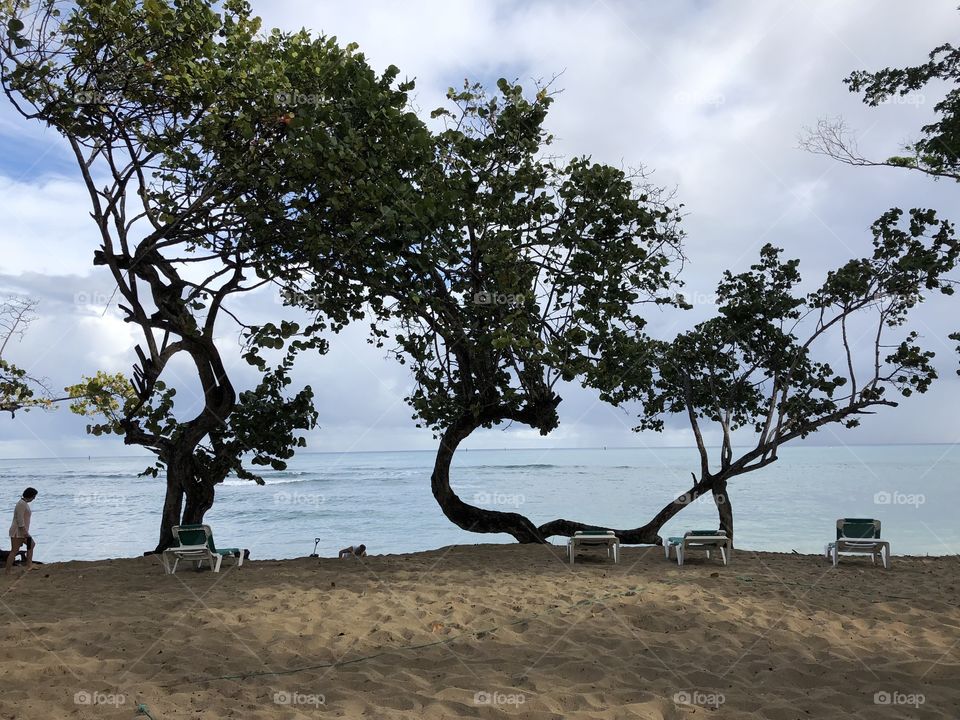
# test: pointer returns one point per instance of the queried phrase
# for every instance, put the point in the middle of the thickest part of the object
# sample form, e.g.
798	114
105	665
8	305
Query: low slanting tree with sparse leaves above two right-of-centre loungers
761	365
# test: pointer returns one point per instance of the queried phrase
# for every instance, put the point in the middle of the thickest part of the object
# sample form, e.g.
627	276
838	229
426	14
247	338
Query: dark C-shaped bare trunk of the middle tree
469	517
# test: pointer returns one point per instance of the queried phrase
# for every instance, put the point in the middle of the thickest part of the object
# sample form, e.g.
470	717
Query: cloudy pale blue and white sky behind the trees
710	97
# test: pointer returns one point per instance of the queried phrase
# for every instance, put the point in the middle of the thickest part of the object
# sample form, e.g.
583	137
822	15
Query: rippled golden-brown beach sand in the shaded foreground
485	631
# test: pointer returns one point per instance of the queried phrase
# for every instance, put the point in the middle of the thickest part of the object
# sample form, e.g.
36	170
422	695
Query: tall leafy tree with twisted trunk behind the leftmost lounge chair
182	119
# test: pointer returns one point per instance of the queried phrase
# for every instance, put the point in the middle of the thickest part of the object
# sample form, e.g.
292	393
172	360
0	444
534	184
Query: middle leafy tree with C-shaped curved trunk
511	264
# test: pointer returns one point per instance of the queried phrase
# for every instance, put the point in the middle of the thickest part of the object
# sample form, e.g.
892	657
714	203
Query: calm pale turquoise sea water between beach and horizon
97	508
